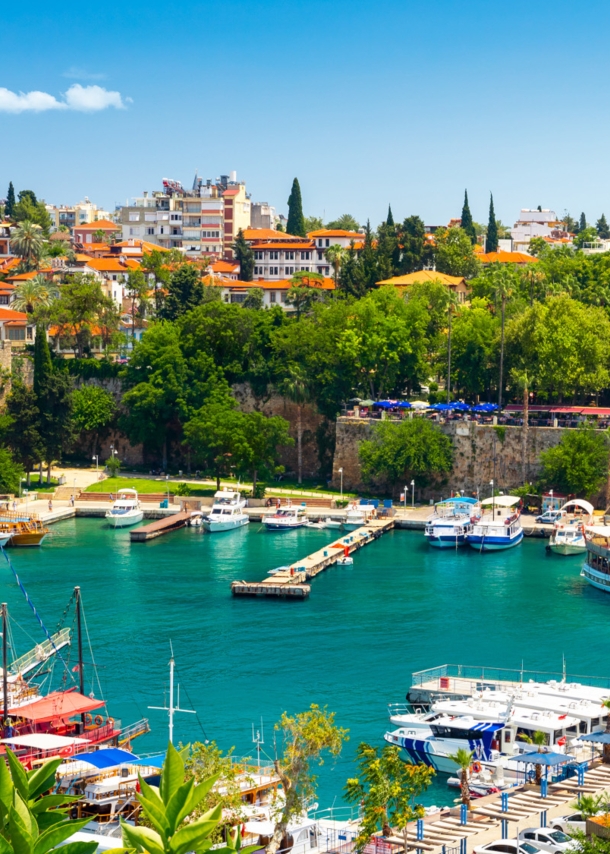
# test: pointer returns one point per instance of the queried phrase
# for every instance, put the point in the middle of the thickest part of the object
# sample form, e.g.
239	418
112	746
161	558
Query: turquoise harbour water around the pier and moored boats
352	645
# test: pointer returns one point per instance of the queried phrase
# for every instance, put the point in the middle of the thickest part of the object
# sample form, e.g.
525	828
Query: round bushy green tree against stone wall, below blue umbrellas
411	449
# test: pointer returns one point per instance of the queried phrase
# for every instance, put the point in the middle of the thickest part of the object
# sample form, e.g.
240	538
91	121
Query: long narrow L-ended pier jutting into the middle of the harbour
291	583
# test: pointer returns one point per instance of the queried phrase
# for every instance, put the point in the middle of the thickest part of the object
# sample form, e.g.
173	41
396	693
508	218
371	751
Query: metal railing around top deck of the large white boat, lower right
490	677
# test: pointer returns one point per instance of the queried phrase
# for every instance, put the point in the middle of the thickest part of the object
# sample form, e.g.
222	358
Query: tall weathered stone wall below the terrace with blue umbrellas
481	453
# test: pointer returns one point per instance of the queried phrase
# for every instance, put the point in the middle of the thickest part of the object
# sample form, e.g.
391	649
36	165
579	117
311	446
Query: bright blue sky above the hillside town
367	103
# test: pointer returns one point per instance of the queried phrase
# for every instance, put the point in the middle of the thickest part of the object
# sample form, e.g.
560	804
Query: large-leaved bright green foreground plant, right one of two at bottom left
170	811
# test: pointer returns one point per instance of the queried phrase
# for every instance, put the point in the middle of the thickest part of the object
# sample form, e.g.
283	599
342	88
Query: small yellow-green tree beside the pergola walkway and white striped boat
385	789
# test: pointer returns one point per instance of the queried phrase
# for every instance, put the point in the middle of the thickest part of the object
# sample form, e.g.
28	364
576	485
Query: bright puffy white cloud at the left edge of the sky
84	99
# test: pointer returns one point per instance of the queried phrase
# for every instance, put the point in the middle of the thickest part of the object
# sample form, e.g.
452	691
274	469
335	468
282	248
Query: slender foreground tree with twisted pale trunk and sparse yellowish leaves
306	737
